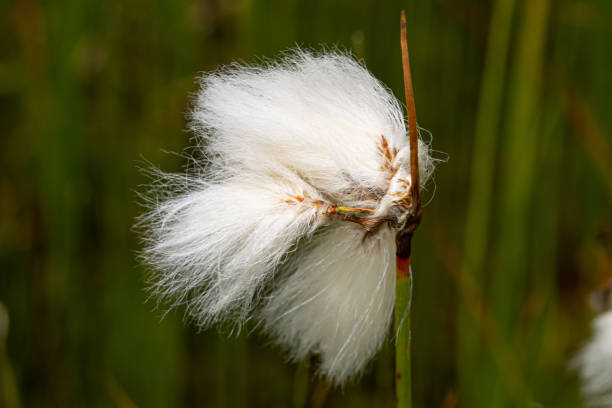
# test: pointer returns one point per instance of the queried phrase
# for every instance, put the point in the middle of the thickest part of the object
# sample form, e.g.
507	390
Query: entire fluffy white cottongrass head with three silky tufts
261	229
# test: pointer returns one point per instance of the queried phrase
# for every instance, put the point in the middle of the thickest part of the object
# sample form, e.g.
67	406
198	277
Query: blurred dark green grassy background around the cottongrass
516	235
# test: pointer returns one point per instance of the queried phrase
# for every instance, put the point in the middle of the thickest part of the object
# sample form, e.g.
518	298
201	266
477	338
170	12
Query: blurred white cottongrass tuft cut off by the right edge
594	363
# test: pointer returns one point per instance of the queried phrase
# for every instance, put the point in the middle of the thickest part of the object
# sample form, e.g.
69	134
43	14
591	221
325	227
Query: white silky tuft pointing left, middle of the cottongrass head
214	247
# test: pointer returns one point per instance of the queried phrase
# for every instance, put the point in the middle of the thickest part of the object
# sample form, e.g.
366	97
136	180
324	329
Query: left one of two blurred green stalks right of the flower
474	368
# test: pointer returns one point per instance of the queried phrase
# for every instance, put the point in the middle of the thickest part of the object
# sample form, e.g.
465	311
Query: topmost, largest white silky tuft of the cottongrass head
321	115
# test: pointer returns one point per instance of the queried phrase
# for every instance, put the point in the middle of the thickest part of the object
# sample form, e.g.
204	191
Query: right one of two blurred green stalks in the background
518	182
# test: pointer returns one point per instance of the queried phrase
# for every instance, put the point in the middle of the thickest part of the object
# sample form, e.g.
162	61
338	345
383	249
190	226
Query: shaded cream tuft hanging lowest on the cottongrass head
338	300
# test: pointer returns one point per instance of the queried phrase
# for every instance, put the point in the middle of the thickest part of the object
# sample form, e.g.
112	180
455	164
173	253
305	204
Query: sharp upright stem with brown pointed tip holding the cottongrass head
403	291
